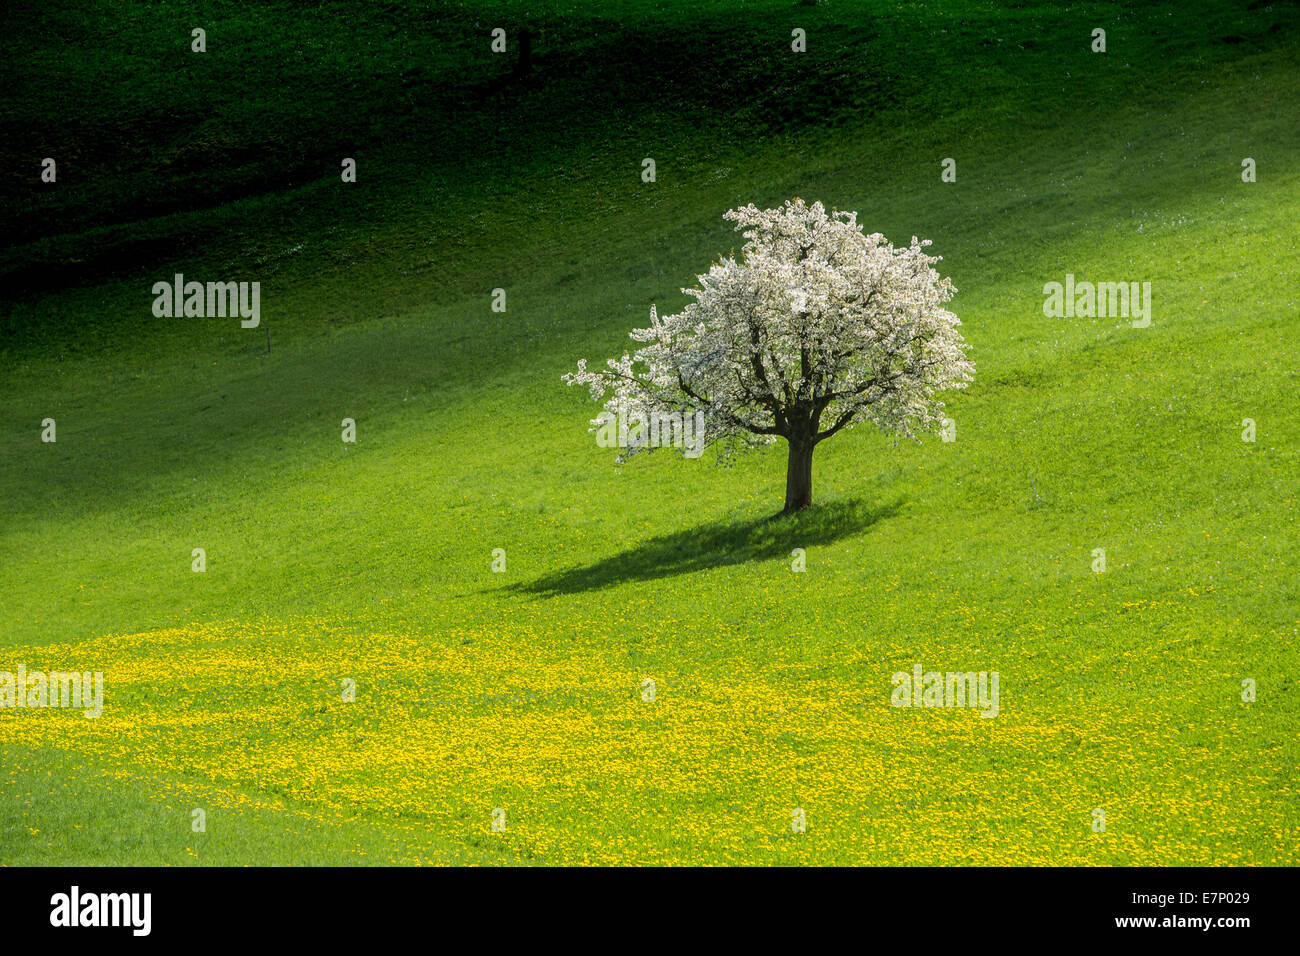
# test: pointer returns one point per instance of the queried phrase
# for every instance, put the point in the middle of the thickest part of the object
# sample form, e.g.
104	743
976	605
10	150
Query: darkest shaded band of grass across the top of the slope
150	168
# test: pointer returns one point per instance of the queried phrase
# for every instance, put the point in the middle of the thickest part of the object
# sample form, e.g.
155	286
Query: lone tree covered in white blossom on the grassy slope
816	328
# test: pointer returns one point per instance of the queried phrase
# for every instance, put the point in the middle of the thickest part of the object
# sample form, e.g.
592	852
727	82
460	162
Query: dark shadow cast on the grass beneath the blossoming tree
717	546
